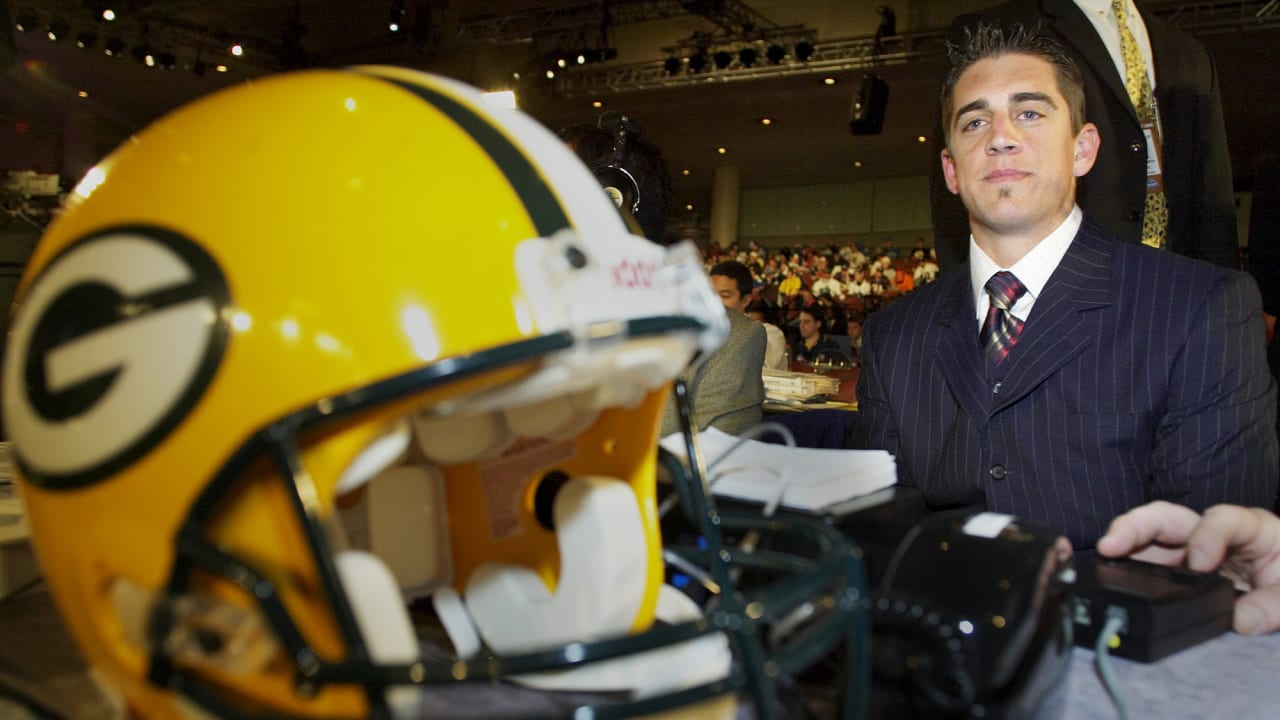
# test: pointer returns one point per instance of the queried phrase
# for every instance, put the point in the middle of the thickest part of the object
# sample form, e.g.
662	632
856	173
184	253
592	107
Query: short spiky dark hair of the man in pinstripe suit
996	39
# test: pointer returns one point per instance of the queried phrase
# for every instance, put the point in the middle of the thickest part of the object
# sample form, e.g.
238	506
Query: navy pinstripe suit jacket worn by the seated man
1140	376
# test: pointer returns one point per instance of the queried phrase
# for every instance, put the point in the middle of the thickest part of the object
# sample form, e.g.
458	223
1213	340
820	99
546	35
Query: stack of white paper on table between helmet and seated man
803	479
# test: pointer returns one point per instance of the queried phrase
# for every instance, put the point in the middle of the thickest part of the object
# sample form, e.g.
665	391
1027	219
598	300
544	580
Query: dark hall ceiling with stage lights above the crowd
49	129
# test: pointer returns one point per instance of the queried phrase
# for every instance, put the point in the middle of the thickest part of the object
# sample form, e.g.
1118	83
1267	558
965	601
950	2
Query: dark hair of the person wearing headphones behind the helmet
642	160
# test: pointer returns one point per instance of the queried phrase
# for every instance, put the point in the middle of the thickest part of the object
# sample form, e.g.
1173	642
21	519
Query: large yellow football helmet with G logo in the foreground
323	344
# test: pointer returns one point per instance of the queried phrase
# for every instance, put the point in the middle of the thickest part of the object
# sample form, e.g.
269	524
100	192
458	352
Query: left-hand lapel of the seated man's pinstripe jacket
956	347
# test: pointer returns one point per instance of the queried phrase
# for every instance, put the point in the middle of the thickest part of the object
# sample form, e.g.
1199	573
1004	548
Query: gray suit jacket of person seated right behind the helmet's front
726	386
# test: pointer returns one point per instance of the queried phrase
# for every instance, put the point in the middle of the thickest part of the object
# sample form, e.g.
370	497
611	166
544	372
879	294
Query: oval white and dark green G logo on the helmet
113	345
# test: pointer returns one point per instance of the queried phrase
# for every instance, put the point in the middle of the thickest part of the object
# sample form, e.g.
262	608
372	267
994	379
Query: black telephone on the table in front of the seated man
973	619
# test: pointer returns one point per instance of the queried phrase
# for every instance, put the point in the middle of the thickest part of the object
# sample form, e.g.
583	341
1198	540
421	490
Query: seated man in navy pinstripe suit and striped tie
1136	376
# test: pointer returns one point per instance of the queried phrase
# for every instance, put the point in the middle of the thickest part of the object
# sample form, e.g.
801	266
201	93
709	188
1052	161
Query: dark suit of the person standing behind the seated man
1197	165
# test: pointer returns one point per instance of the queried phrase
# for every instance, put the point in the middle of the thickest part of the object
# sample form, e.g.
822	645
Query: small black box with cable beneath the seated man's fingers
1159	610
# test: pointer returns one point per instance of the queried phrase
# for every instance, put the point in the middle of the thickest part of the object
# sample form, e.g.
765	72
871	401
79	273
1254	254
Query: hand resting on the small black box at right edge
1241	543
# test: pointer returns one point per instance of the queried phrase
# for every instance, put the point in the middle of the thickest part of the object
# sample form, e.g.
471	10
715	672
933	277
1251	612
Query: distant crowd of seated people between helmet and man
838	286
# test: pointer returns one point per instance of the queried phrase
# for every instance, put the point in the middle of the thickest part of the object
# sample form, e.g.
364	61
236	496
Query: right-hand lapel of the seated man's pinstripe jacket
1055	331
